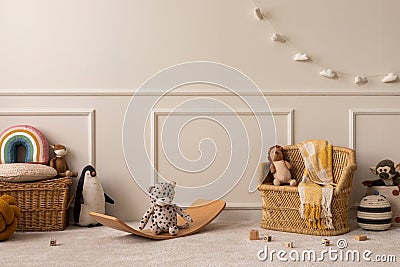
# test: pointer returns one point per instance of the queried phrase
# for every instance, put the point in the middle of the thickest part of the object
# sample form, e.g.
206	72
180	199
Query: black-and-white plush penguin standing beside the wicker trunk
89	197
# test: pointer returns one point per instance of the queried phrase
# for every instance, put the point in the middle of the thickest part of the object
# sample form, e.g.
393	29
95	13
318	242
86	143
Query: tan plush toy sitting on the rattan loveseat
280	168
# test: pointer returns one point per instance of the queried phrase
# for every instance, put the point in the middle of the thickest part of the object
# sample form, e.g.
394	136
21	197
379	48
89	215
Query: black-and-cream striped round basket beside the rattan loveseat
374	213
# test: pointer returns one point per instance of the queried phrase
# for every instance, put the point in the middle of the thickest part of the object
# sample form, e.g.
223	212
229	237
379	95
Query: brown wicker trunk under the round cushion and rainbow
44	204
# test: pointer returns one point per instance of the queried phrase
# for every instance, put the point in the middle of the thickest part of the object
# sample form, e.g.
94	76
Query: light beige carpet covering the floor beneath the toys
219	244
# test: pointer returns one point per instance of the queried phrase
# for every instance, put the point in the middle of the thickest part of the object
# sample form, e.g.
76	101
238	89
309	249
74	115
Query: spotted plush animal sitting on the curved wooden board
162	213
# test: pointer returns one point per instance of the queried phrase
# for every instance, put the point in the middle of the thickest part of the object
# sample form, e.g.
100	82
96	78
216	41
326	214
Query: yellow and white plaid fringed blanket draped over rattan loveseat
316	188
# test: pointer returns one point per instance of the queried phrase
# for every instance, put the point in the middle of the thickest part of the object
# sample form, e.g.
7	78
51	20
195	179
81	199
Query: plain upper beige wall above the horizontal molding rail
119	44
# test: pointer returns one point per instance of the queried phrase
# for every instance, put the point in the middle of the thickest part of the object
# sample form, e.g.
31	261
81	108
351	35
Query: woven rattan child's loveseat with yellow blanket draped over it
280	204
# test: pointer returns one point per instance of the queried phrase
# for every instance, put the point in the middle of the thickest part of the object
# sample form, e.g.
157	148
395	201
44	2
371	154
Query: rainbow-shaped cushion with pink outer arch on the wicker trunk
35	143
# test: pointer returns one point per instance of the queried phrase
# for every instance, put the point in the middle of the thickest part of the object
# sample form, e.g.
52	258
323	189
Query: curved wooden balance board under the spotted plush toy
202	212
